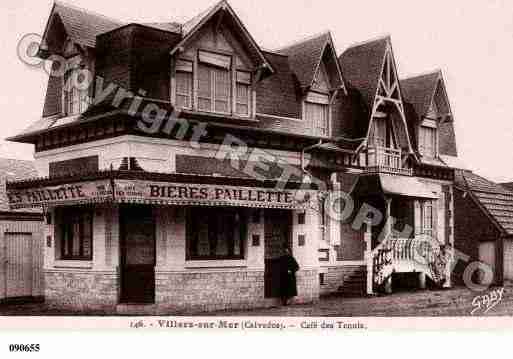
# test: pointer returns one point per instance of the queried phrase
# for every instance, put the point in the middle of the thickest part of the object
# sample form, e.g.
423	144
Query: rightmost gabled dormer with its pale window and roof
431	112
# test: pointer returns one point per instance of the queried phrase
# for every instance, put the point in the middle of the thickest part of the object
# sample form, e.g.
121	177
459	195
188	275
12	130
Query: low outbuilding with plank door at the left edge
21	240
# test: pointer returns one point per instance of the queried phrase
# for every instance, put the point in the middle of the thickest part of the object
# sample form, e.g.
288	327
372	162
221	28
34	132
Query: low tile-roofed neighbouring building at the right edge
483	226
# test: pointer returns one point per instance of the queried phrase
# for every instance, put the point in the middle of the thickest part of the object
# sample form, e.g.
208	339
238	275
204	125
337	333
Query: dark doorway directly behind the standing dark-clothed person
278	230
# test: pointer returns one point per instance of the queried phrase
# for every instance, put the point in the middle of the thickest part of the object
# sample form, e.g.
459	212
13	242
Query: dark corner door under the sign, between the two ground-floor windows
137	255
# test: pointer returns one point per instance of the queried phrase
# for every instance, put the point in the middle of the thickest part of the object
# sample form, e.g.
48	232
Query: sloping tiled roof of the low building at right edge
492	198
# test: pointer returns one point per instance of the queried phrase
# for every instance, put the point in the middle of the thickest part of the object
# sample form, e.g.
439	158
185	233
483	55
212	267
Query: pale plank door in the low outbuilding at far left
18	264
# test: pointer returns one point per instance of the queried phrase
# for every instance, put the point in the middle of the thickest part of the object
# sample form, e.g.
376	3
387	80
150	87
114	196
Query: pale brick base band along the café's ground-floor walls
175	292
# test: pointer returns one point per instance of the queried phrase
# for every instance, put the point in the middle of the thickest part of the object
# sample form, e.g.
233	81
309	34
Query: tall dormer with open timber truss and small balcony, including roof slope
370	69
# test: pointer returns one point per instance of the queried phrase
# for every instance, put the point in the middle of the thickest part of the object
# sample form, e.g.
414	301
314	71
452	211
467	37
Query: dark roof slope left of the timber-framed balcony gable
361	65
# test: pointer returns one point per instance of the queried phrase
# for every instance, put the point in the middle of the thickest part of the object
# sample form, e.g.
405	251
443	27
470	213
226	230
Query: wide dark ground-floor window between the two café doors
215	233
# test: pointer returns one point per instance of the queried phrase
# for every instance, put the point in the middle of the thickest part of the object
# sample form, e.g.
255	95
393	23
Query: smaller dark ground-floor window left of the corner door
76	234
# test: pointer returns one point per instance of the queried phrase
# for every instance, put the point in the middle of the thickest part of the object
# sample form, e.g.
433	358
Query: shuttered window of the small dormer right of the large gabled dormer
317	114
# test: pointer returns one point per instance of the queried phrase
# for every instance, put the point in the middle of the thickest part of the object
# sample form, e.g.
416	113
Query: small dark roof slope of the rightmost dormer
419	91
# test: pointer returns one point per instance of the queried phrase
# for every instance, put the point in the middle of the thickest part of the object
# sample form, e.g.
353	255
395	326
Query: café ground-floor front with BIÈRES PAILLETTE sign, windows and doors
176	242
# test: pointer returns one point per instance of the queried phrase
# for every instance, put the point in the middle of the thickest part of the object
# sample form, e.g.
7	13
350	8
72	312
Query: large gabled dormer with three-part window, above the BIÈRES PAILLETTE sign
216	65
